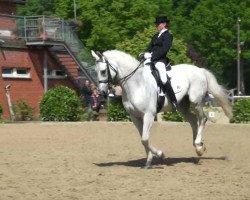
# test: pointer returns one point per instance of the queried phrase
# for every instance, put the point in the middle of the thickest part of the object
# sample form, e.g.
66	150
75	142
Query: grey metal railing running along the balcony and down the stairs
34	29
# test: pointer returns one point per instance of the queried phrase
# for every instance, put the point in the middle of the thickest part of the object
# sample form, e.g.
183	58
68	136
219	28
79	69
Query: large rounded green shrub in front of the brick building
60	104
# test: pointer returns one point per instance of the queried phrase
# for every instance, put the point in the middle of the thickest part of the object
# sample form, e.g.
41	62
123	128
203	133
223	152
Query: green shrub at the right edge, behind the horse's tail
241	111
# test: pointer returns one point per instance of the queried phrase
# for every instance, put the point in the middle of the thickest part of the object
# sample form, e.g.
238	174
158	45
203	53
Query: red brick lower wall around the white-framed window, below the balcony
31	90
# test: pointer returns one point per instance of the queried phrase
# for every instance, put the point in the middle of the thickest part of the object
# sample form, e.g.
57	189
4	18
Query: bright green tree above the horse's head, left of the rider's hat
106	22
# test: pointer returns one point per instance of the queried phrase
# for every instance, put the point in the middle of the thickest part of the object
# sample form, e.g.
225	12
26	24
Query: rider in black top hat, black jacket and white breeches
157	53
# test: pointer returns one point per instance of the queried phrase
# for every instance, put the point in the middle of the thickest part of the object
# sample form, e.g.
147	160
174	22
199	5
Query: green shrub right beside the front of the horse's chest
116	111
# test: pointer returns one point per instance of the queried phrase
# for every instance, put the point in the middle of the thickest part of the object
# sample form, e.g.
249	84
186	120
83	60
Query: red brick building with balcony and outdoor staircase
37	53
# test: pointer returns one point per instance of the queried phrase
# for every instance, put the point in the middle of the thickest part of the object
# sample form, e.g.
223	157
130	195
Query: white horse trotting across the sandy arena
140	94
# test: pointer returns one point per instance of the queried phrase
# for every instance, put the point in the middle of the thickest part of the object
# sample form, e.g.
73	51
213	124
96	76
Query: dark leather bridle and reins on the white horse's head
109	67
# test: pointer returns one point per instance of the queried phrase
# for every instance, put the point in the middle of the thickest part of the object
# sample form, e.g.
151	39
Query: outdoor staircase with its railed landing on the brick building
62	43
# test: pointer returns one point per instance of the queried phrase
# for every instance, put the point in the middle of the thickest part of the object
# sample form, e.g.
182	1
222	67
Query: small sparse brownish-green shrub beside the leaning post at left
23	112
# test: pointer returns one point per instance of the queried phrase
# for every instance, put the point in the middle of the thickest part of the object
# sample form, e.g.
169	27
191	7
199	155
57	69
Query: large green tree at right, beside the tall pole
211	29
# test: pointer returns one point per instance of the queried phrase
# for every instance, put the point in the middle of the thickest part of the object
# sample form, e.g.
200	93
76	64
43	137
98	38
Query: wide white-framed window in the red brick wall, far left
15	72
